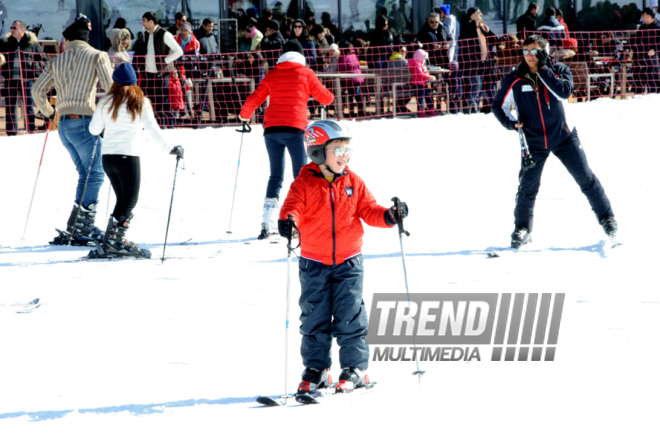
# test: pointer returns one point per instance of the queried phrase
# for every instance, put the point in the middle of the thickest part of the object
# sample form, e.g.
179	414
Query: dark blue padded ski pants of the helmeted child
331	306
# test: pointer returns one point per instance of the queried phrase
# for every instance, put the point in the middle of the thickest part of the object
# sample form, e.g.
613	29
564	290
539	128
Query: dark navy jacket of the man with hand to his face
538	100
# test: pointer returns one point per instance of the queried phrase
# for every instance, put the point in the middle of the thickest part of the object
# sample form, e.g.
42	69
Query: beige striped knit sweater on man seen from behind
74	74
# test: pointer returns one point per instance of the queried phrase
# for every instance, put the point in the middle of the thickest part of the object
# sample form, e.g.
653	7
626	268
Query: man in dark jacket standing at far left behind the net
25	61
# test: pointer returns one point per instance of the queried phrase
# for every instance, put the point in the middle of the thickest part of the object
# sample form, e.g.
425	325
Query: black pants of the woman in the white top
123	171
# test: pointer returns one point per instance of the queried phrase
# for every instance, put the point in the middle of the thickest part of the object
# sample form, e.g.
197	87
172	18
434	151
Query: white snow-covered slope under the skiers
182	349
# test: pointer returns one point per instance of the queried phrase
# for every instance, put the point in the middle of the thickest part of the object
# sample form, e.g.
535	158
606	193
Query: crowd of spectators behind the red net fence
461	55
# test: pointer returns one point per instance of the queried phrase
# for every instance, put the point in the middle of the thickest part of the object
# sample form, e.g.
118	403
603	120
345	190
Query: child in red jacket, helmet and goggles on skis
328	203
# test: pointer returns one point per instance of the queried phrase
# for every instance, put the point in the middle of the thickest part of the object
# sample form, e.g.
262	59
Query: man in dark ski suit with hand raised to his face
537	88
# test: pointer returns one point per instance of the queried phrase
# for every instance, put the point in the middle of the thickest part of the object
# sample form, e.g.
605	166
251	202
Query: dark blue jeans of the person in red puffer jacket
276	143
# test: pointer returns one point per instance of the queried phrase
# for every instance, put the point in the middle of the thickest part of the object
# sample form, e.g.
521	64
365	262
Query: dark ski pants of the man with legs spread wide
572	156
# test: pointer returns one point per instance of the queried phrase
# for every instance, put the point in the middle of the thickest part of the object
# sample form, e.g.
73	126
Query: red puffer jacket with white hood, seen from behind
289	85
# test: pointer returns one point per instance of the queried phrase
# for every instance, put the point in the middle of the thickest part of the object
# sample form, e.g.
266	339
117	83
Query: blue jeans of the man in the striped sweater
80	143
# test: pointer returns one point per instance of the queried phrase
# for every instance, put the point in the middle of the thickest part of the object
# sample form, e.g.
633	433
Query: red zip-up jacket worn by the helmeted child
328	214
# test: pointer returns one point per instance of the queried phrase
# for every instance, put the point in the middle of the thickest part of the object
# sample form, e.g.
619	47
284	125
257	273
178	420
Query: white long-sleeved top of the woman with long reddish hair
120	137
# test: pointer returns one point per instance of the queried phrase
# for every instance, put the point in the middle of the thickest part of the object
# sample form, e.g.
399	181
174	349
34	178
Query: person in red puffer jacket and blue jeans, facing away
289	86
